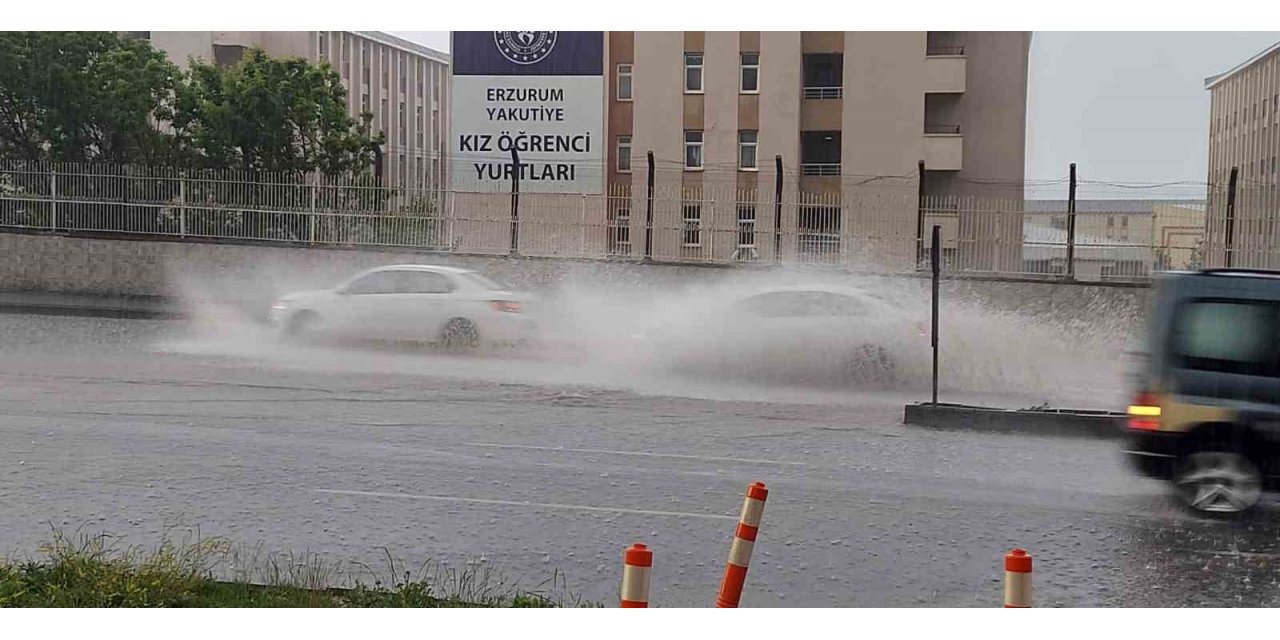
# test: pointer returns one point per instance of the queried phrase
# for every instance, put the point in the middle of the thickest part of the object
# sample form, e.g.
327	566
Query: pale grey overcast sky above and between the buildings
1124	107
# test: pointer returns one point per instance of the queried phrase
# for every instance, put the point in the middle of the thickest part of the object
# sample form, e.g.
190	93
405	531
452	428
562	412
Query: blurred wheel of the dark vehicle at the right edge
1218	482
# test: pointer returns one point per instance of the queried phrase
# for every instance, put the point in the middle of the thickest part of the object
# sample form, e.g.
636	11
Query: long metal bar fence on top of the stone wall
874	228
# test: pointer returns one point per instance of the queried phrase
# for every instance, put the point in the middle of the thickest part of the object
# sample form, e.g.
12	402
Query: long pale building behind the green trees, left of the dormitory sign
404	85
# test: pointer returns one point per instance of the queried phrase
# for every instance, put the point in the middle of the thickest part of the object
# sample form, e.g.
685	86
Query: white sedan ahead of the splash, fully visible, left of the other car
455	308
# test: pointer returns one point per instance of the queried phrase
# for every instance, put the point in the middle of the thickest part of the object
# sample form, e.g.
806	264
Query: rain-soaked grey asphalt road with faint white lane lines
124	427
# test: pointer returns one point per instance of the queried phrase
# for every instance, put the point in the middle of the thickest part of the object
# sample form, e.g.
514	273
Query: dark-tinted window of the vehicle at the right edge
1235	337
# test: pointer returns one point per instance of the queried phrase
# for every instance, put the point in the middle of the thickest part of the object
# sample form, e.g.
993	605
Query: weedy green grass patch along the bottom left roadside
102	572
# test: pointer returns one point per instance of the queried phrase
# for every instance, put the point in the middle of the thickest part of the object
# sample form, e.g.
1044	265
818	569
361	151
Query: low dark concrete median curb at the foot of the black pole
1055	423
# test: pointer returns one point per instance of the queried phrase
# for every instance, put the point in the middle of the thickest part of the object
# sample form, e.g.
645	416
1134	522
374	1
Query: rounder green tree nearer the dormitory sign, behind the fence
272	115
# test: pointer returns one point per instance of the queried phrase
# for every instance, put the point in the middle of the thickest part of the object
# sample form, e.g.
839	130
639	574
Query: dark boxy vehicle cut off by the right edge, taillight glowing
1208	412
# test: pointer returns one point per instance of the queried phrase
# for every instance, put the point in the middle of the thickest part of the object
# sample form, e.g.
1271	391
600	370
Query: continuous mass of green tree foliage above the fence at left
98	98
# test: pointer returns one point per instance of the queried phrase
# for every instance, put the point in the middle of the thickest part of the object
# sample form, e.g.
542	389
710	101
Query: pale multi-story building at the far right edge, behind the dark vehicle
1245	138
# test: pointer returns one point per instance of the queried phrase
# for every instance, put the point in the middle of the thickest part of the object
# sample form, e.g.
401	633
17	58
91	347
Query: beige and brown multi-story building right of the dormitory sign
852	116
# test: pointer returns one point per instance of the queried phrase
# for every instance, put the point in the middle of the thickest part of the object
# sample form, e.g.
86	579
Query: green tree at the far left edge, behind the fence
84	97
